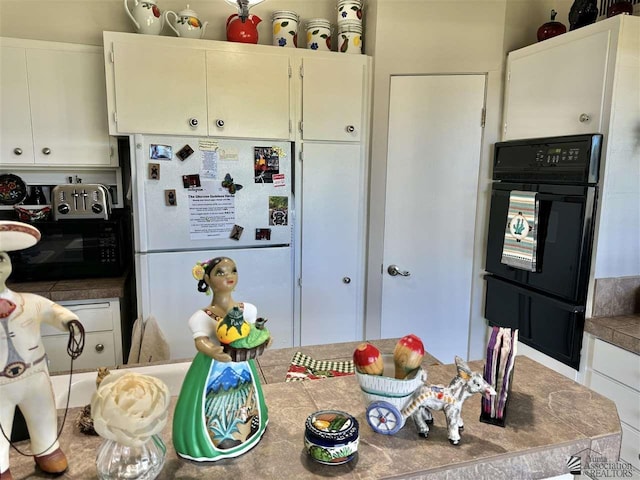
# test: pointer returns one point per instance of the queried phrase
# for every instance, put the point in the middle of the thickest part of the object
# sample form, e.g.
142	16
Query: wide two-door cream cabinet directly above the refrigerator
179	86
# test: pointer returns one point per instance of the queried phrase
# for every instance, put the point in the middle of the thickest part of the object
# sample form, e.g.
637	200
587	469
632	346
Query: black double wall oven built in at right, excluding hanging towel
546	305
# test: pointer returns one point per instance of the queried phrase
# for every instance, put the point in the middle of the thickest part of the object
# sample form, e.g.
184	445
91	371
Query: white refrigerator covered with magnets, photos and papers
199	198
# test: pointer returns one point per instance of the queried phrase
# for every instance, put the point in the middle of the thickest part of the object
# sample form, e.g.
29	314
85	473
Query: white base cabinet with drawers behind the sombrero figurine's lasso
103	340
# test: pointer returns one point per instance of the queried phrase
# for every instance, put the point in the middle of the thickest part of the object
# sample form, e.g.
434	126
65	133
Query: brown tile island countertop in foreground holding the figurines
549	418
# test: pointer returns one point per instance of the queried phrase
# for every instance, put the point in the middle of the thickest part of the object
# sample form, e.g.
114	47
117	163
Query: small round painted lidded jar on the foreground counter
331	437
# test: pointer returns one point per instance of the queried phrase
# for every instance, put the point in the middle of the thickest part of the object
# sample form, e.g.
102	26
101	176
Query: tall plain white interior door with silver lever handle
433	158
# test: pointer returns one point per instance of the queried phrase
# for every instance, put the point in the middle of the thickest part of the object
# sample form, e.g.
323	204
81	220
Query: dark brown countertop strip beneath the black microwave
70	290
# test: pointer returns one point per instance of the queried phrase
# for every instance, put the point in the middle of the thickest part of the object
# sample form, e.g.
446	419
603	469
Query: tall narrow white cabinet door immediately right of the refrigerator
332	246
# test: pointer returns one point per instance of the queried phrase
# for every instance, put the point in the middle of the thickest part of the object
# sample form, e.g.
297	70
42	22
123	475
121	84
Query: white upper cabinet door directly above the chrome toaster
68	107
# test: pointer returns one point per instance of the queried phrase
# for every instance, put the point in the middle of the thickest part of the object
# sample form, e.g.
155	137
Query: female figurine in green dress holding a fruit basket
221	411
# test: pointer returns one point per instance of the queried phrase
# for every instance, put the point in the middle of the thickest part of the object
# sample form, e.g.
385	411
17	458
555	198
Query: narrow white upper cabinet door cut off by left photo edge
15	129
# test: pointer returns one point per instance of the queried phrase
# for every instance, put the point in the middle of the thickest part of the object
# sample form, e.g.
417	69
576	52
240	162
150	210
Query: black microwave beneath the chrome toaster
75	249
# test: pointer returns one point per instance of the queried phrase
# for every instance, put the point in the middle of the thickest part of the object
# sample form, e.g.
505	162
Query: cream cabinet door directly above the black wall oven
557	91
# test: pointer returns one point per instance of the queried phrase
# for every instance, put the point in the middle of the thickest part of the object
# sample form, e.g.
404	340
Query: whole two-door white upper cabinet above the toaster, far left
53	105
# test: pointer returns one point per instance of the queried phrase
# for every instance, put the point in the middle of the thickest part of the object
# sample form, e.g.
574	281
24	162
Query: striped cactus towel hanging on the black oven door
520	236
